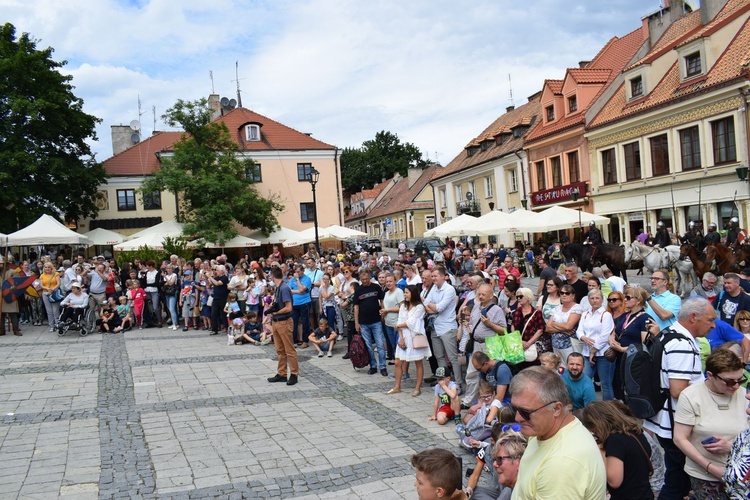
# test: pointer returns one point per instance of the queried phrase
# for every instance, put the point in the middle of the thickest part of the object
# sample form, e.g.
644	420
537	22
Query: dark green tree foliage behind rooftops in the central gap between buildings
377	159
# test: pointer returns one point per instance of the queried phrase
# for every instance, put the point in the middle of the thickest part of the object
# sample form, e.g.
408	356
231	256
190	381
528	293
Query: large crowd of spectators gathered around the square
536	427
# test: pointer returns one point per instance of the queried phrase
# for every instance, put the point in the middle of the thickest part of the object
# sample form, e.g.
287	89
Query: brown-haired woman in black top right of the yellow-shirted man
627	453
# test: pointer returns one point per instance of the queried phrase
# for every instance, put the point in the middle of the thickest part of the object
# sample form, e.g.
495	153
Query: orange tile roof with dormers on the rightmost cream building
731	66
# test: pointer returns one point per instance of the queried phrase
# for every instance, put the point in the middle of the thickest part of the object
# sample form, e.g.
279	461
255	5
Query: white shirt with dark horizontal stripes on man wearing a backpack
681	361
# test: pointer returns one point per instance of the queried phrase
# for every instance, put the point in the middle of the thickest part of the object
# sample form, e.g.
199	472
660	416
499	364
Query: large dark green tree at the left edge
46	166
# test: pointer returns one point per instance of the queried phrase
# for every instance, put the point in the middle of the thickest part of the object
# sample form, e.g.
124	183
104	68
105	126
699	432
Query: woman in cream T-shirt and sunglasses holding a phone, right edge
708	417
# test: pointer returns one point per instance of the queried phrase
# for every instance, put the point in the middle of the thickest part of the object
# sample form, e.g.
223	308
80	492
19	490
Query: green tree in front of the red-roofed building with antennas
210	178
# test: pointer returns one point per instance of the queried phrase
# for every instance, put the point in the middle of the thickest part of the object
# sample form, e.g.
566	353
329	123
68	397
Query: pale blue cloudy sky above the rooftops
434	72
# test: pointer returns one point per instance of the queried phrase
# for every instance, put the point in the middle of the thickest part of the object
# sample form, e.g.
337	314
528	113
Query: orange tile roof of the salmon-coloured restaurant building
611	59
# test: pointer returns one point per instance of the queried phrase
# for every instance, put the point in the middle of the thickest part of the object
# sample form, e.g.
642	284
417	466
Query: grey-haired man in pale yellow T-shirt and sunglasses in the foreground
562	460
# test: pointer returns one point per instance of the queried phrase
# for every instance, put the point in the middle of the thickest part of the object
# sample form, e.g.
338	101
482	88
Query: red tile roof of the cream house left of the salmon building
525	115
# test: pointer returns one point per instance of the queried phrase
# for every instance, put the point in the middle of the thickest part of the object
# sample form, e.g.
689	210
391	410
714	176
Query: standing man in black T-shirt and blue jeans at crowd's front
368	301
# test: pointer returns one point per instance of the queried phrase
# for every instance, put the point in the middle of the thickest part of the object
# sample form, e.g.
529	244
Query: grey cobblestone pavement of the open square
162	414
